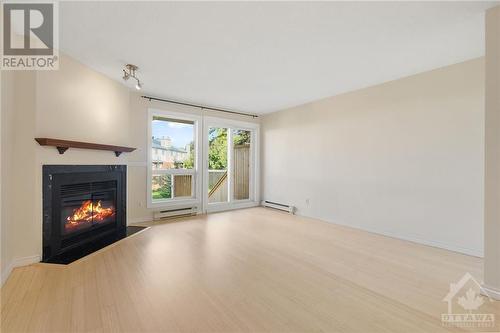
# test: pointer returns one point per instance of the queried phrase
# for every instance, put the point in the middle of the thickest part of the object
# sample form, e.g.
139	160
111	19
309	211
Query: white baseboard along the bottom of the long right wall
411	238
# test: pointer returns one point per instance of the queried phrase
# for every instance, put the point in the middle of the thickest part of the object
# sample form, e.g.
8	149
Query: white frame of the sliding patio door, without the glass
254	191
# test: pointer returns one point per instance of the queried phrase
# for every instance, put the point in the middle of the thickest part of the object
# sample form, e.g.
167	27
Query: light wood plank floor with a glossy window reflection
246	270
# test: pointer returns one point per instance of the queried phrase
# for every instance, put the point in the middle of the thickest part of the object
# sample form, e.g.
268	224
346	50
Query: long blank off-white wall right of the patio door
404	158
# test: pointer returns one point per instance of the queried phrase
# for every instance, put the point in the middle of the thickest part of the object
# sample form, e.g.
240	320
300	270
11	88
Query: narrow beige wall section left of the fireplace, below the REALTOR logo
18	156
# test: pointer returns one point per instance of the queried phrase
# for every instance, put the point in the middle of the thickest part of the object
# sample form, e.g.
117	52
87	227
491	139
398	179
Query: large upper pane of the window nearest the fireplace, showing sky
172	144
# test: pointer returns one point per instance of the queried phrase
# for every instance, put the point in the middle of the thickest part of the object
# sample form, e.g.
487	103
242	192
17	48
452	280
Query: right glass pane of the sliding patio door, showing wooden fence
241	164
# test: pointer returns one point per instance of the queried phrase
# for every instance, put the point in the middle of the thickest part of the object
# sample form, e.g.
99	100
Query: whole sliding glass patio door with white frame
230	164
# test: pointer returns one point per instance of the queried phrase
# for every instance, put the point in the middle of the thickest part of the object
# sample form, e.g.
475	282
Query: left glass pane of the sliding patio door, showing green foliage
217	165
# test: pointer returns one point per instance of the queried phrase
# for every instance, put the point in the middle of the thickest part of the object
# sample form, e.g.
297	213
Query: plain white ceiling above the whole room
265	56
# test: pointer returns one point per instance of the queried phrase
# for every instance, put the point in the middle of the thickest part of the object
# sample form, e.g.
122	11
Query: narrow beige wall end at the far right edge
492	153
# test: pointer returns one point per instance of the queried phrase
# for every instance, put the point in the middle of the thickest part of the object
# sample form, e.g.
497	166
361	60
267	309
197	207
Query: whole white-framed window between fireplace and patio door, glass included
173	159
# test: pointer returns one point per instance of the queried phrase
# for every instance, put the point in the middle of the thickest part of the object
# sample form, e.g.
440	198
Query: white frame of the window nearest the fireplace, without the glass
196	171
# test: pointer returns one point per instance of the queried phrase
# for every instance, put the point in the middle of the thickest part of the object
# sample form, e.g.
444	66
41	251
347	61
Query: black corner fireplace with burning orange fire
83	209
